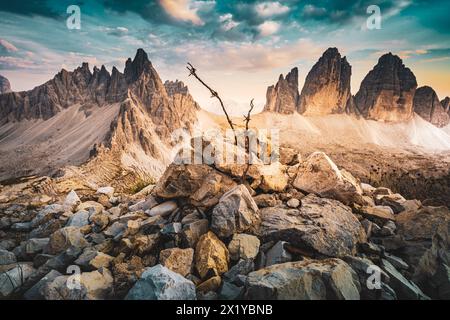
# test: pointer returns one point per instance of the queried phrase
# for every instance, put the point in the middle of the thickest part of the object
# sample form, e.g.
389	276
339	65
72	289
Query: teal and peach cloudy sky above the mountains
239	47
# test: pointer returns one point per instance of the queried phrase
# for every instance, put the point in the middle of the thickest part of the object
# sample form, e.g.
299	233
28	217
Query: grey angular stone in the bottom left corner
14	278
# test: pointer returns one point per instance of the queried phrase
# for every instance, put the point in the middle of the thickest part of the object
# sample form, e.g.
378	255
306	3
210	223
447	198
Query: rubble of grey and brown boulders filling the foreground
299	229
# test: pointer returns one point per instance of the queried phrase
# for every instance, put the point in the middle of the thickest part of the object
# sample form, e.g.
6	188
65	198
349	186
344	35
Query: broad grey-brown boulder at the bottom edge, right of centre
304	280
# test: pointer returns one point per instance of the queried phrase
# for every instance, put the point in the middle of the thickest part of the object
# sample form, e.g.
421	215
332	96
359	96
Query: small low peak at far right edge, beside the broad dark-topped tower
427	105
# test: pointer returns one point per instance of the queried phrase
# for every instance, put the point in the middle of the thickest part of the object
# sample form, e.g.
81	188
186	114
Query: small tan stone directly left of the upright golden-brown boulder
178	260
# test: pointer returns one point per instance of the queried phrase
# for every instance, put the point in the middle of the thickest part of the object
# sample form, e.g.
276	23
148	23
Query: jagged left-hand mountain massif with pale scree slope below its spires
134	113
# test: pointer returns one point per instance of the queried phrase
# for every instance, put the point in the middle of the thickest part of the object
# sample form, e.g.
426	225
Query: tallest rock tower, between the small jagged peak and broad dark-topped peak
327	86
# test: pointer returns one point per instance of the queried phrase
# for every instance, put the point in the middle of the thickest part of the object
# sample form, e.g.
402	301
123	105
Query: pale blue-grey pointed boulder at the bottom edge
160	283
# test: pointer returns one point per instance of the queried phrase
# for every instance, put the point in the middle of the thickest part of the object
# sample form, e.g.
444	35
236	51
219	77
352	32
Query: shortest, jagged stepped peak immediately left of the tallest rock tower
284	96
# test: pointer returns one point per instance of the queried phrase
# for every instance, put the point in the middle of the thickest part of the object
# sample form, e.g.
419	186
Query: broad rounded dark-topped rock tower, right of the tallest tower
387	92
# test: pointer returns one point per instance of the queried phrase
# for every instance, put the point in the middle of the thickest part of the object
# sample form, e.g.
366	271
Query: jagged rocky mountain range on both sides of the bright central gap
118	125
